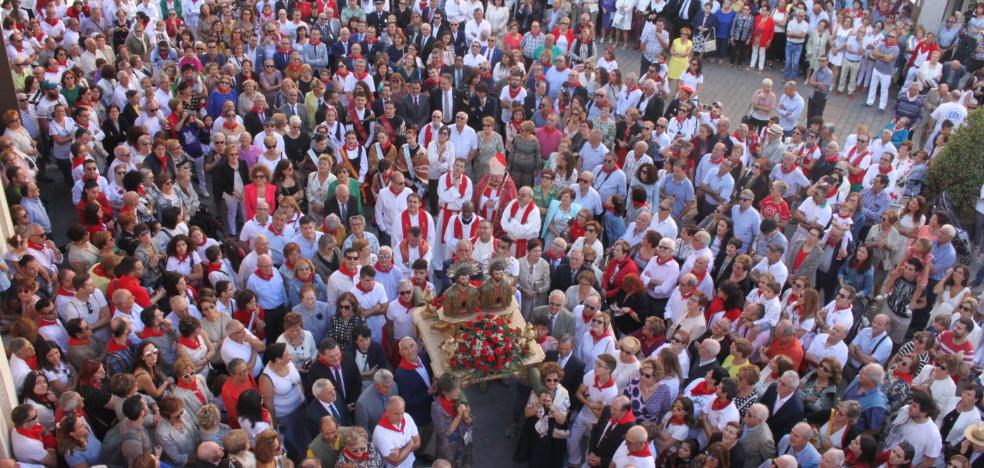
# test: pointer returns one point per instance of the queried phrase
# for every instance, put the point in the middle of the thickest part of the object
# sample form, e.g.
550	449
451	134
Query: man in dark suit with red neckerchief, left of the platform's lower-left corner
415	382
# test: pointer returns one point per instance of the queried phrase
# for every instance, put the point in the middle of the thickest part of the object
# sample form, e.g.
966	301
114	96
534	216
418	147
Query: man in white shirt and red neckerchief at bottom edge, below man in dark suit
396	435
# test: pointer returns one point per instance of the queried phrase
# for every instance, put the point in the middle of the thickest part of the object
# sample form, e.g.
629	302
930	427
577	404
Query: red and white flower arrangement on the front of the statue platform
487	346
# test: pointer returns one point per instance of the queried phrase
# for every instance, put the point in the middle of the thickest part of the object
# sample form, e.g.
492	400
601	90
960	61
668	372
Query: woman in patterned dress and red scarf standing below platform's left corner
452	422
